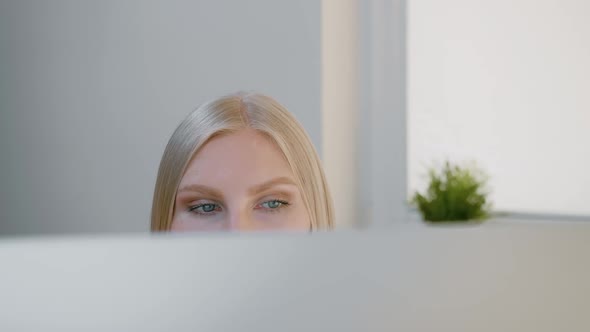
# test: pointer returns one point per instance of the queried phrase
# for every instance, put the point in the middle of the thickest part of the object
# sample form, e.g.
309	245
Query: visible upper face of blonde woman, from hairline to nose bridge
239	182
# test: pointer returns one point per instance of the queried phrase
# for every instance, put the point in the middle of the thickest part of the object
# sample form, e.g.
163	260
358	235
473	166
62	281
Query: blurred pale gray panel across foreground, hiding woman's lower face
495	277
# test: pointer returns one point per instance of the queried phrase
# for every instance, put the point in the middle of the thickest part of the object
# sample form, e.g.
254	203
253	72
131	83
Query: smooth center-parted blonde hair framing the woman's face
229	114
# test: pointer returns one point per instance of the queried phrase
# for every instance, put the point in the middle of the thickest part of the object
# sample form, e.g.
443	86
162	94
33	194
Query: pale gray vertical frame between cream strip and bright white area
383	110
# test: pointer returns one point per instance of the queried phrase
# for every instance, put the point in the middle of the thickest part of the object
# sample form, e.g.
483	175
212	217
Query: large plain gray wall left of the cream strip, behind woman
90	91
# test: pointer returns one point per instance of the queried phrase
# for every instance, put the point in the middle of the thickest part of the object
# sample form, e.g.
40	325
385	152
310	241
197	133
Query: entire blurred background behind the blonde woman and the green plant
90	92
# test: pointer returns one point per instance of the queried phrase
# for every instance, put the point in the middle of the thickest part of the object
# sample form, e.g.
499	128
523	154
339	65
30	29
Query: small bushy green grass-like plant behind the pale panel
454	194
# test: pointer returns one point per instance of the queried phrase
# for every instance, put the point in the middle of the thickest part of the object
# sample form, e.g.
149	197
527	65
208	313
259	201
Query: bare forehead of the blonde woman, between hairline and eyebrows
242	158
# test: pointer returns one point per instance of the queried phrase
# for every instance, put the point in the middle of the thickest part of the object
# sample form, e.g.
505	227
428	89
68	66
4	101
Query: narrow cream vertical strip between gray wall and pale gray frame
340	100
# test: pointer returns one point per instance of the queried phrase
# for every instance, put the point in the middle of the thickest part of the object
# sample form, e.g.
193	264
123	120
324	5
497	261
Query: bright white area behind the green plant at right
506	83
